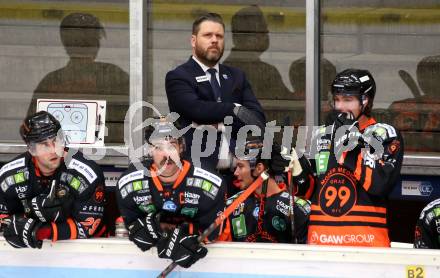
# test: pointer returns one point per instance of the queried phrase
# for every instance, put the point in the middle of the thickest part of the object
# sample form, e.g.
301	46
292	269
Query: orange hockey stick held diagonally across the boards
224	215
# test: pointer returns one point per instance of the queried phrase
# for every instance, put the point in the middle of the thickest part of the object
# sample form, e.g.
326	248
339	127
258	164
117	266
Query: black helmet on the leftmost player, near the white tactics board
38	127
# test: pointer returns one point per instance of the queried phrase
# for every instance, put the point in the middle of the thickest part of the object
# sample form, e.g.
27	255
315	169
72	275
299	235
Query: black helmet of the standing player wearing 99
354	82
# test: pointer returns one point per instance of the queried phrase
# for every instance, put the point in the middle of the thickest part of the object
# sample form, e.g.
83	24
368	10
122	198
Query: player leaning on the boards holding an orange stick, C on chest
166	202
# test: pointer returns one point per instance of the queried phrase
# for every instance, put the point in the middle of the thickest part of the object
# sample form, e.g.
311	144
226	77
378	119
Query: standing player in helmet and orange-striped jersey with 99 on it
354	164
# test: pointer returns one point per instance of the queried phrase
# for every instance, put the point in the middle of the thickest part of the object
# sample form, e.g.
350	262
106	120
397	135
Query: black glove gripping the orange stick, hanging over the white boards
181	246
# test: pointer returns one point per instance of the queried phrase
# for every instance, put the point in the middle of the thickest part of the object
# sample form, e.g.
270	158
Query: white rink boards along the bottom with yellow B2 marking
111	258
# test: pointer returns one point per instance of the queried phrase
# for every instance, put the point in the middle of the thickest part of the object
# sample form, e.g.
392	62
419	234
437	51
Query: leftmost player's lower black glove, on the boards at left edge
21	232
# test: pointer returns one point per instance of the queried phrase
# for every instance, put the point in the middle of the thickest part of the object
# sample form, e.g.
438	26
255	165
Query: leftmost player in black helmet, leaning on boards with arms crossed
47	195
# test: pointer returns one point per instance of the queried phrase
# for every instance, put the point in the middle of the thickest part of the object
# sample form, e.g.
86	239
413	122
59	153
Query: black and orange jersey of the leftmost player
82	179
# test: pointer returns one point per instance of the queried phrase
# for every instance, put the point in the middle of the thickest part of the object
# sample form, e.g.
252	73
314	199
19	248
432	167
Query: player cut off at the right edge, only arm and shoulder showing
427	233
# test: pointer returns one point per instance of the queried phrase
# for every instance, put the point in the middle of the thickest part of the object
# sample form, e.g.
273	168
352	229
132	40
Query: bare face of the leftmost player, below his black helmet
48	154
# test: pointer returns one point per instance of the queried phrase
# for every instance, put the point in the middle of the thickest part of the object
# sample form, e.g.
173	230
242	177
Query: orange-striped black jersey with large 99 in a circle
348	196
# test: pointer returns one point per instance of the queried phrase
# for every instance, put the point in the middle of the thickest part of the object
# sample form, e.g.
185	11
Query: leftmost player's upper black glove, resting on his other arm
51	209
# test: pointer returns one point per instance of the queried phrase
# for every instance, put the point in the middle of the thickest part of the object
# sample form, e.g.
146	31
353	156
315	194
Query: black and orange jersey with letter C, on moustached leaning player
197	196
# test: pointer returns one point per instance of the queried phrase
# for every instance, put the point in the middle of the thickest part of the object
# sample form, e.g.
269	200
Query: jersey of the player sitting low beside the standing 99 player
275	226
